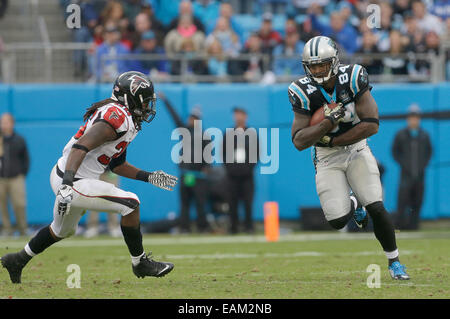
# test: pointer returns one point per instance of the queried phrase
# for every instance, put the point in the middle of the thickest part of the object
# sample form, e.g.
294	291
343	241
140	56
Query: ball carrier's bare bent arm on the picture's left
303	135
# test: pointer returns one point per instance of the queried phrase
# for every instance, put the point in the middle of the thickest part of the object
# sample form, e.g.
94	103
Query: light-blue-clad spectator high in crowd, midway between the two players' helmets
228	39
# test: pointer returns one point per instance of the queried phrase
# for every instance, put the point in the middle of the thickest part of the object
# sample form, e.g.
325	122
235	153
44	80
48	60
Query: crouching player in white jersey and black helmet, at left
110	127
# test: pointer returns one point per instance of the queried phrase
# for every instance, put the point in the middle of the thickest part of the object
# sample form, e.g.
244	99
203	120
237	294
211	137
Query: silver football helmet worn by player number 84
320	50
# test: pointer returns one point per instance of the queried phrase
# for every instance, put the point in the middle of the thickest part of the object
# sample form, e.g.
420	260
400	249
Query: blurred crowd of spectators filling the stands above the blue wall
218	43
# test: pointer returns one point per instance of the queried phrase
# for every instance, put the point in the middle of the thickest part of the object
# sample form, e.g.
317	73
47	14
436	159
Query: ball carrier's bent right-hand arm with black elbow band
367	111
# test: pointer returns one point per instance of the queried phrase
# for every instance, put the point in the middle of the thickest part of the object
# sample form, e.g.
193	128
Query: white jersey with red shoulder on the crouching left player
98	159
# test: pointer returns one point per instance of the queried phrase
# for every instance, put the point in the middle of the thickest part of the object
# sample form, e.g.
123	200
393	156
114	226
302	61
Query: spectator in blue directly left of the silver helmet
286	56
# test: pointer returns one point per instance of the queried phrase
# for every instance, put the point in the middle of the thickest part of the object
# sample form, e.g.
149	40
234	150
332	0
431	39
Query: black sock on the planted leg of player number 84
382	227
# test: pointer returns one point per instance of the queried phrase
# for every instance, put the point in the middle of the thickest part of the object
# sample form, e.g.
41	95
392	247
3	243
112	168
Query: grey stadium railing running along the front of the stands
54	62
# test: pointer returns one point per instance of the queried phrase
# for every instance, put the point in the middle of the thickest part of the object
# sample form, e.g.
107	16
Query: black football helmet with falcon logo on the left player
135	90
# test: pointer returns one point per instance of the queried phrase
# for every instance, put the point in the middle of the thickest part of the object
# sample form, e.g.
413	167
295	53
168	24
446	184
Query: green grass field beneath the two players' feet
300	265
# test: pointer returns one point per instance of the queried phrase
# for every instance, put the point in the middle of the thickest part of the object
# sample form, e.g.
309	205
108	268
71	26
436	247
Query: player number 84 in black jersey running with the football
341	155
